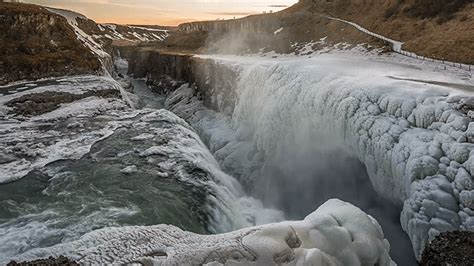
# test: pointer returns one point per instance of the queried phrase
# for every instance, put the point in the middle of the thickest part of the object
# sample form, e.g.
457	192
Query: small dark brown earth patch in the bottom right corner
450	248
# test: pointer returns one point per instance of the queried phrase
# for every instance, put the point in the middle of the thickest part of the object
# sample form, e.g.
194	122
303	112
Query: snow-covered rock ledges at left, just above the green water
31	145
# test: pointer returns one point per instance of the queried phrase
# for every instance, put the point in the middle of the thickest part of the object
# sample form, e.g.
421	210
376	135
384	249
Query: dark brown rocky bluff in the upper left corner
38	44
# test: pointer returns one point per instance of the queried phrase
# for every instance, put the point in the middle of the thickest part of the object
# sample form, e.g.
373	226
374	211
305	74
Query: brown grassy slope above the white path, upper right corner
441	29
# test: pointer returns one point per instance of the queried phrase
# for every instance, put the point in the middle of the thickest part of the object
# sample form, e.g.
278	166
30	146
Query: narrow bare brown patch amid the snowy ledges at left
40	103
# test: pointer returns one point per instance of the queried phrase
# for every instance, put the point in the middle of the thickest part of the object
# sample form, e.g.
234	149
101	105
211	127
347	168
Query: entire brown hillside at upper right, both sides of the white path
441	29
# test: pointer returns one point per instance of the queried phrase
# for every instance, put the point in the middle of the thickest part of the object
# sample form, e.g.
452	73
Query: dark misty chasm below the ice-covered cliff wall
302	182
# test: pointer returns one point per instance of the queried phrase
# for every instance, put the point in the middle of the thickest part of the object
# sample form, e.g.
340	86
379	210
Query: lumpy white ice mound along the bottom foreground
337	233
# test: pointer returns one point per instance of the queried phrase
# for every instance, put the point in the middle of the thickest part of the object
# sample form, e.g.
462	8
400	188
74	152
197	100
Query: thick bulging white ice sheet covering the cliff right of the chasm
413	134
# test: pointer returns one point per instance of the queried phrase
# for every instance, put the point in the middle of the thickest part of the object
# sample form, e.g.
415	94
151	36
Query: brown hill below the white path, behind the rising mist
298	25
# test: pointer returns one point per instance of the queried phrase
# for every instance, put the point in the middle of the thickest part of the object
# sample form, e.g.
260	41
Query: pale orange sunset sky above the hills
164	12
